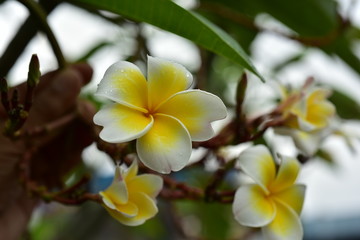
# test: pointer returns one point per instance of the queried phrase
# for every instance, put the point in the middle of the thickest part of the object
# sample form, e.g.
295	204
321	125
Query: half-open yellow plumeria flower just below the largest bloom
130	199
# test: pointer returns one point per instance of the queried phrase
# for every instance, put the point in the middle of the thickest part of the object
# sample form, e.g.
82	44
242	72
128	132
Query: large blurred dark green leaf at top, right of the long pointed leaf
309	18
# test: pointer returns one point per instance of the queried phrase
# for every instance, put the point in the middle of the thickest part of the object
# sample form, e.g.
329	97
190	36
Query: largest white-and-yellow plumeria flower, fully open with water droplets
160	113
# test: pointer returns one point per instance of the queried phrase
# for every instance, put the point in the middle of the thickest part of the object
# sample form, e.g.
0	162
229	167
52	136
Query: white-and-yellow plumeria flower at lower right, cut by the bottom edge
273	202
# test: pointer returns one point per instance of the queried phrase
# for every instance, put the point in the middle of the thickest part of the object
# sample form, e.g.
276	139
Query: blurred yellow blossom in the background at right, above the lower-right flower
308	110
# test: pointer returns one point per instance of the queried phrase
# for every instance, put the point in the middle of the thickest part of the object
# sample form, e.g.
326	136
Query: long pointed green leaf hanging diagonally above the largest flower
169	16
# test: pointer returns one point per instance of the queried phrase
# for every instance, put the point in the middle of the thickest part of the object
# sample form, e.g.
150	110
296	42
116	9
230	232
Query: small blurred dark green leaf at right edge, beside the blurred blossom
346	107
